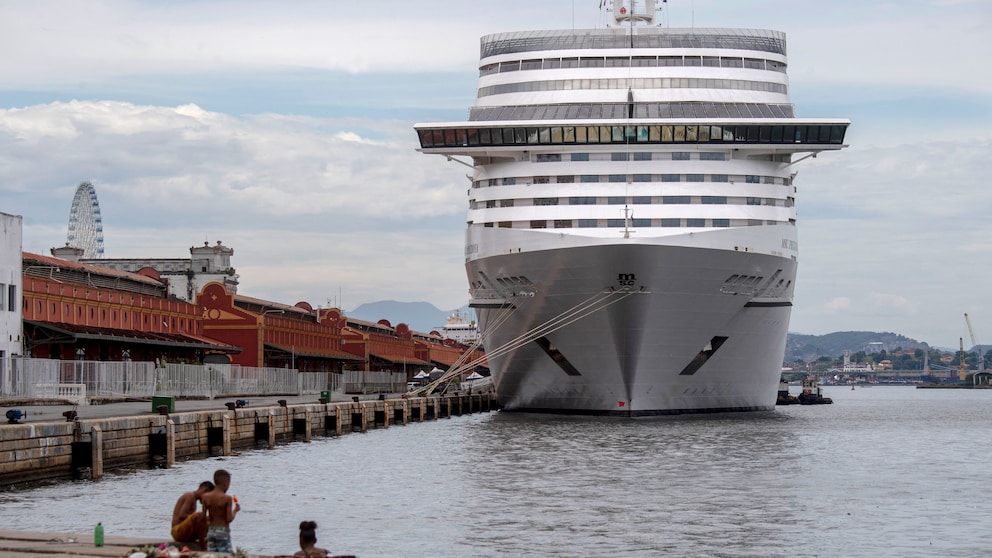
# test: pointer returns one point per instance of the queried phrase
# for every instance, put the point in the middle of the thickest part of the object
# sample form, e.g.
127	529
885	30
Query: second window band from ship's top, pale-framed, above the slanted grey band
632	83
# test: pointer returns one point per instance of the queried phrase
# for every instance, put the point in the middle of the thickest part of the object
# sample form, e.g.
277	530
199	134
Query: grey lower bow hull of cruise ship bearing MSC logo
634	353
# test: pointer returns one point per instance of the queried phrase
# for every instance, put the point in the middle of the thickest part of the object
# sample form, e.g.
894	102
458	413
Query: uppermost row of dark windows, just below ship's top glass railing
632	61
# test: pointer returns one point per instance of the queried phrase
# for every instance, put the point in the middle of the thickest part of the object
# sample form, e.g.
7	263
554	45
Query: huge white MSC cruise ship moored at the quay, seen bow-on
631	244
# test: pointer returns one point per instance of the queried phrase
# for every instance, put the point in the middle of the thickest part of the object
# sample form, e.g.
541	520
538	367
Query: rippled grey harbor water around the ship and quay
884	471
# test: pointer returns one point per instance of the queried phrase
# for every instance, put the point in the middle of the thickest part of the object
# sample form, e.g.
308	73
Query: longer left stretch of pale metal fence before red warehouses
40	378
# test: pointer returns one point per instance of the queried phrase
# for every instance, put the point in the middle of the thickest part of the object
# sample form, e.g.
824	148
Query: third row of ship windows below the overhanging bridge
635	200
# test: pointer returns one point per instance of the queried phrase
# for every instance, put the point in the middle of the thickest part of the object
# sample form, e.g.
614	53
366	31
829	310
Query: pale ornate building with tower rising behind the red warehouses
185	276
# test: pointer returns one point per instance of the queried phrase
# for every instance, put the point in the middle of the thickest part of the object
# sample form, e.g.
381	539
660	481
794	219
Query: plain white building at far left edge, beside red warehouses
10	295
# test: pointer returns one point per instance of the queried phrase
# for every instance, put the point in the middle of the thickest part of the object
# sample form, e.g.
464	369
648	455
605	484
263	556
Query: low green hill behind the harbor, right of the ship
811	347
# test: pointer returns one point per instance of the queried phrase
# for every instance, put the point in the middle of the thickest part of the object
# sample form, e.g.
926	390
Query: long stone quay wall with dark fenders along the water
78	448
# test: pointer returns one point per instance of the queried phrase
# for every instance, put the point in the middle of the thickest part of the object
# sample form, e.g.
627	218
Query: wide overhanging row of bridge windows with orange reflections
558	135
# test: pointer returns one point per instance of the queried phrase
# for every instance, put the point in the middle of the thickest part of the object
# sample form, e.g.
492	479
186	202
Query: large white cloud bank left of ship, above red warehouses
305	198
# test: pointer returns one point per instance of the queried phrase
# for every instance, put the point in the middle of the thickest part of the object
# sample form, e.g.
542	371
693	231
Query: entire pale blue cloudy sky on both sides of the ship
285	130
